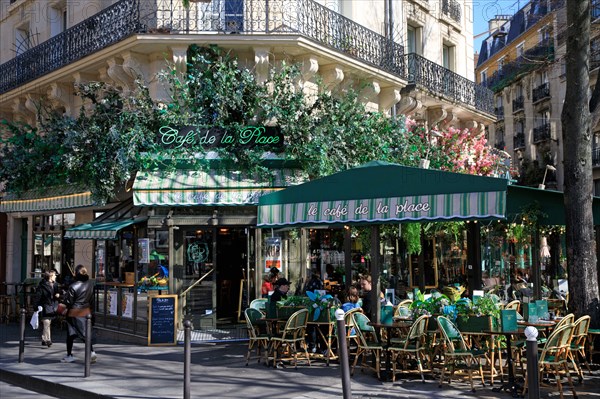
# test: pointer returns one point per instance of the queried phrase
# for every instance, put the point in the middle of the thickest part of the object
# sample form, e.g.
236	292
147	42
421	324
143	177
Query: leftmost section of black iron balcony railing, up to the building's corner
110	26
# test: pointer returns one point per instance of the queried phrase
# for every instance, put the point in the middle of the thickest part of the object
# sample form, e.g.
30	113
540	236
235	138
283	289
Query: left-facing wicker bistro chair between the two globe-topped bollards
413	345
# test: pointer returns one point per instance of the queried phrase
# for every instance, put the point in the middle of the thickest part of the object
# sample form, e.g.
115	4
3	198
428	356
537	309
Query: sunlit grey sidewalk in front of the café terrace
218	370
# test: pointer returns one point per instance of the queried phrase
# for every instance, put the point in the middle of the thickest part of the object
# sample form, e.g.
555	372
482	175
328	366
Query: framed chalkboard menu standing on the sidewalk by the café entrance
162	320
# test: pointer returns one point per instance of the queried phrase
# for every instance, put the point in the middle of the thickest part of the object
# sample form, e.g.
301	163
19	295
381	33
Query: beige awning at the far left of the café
55	198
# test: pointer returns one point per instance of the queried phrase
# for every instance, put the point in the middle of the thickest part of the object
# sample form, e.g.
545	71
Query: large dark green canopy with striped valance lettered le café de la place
384	192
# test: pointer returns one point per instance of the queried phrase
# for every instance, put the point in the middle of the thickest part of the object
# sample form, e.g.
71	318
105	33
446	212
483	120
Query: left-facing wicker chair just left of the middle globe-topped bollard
292	338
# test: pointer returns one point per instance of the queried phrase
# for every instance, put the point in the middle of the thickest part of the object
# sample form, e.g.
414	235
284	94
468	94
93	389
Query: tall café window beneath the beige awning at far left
50	250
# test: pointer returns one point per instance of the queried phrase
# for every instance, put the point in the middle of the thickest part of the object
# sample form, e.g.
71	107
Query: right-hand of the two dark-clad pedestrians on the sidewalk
79	301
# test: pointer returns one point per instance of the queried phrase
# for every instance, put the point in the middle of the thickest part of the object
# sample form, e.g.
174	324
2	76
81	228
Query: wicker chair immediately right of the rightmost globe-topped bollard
554	358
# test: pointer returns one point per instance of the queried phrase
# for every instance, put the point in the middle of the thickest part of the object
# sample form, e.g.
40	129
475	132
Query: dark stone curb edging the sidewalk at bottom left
47	387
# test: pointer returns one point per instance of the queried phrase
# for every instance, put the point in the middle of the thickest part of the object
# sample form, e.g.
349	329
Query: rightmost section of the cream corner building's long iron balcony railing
440	80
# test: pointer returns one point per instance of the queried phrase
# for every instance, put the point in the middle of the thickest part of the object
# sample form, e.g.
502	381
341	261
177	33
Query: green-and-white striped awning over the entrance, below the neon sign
192	188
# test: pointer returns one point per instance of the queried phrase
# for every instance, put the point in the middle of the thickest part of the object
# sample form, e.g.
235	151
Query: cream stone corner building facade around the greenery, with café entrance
413	58
